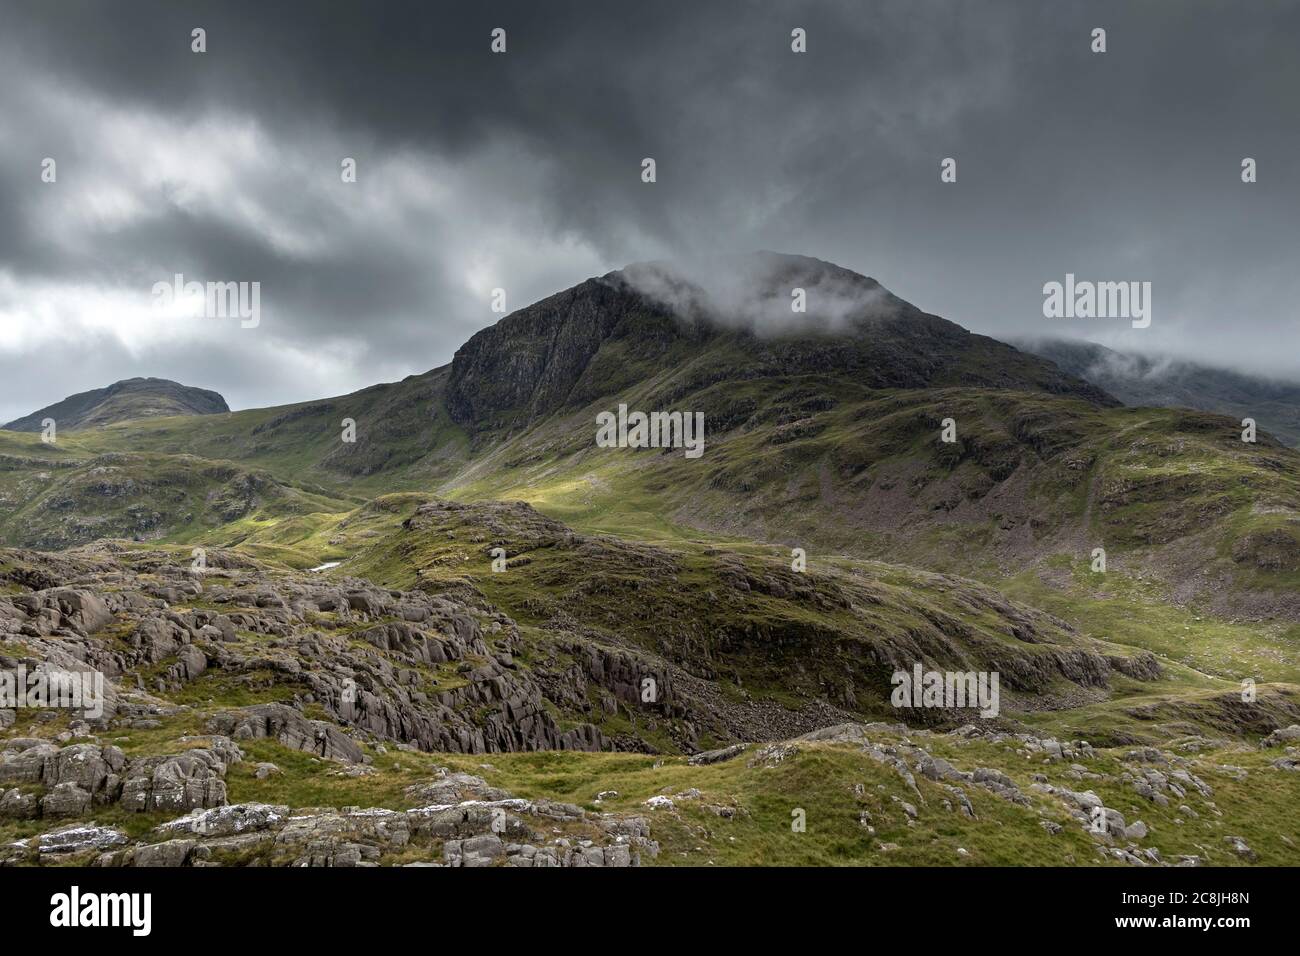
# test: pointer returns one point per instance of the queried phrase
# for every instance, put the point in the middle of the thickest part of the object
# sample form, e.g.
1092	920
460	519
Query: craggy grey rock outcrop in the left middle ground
441	676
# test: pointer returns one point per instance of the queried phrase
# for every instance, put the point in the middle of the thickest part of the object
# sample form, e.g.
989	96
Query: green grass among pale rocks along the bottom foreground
831	784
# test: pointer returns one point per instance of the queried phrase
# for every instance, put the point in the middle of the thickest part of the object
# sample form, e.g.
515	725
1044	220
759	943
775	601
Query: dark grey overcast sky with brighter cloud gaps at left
523	171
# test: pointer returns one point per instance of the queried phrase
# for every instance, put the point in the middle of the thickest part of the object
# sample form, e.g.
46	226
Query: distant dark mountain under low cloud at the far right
1142	380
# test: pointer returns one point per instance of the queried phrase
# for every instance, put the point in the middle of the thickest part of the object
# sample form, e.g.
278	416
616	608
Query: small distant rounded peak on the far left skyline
124	401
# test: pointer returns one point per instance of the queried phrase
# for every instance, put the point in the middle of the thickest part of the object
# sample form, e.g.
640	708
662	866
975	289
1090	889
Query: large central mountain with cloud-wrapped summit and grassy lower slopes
824	432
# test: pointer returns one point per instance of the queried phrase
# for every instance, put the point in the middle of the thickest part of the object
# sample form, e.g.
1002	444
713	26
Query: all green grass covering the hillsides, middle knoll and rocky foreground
688	563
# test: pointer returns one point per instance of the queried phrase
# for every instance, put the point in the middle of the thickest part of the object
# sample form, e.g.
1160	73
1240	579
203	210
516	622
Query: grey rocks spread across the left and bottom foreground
344	673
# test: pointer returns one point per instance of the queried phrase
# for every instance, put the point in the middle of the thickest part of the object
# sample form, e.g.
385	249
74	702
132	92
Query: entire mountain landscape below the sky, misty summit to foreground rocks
475	574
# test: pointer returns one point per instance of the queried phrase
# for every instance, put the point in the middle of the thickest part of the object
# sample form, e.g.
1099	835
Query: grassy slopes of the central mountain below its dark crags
813	461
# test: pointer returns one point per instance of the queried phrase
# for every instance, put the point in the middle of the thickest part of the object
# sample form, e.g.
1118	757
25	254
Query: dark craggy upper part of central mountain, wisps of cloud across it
558	353
